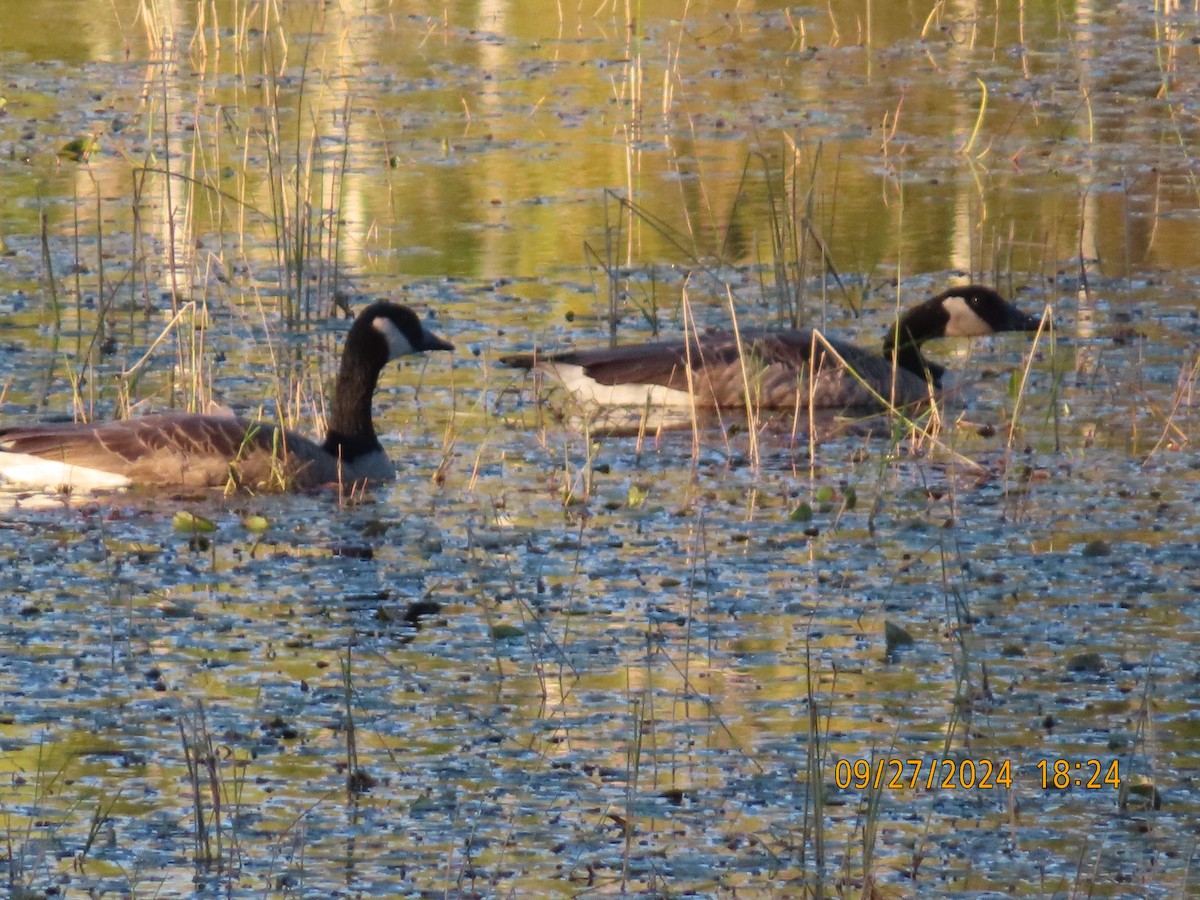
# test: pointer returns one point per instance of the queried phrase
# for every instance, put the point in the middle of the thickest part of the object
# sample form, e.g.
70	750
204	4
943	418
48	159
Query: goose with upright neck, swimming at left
194	451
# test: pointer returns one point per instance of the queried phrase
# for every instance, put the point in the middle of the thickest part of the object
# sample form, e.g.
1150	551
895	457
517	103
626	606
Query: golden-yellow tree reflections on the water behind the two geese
477	142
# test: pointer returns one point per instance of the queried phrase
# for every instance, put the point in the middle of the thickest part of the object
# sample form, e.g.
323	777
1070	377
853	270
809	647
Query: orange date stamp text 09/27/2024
944	772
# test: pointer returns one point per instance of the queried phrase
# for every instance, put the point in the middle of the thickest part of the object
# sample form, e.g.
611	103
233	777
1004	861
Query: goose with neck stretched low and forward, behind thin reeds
788	370
